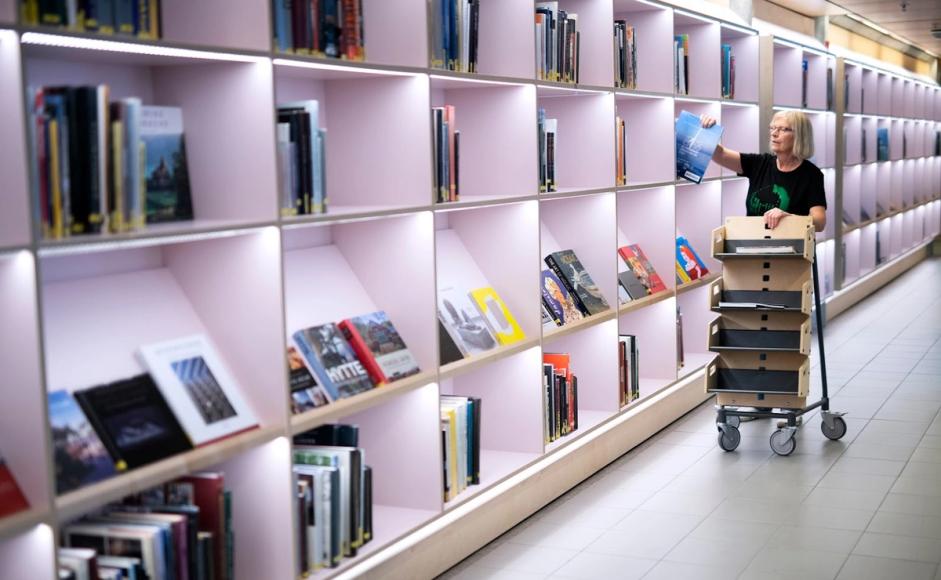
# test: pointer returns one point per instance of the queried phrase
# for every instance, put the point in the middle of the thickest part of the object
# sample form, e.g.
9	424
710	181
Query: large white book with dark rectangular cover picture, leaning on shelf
198	387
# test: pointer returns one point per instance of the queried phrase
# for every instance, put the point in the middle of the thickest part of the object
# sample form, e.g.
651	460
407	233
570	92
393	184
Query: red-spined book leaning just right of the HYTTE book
379	346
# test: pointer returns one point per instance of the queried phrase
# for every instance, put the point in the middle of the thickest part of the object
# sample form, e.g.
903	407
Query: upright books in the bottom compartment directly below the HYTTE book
334	490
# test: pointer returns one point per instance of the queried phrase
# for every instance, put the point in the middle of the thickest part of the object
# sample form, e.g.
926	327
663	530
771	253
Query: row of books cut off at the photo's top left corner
140	18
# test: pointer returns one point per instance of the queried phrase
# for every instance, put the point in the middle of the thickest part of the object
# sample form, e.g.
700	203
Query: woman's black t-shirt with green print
793	191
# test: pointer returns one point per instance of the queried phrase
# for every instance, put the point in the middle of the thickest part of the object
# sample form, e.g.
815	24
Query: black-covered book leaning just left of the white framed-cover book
134	421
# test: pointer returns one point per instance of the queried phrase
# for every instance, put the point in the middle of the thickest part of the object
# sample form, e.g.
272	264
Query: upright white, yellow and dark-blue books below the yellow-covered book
460	443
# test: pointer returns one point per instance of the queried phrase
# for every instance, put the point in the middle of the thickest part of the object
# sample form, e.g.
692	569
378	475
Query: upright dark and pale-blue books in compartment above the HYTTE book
302	159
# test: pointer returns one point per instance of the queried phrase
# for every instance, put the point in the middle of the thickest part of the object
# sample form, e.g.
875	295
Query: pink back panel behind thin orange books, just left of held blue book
648	145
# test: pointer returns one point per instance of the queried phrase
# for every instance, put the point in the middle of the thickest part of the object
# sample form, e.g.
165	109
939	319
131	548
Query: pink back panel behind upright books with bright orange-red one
594	360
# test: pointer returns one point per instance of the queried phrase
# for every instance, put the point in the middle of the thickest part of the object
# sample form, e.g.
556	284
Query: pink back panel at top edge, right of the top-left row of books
238	25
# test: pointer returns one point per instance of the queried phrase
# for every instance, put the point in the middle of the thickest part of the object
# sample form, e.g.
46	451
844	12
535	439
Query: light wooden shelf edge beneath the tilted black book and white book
75	503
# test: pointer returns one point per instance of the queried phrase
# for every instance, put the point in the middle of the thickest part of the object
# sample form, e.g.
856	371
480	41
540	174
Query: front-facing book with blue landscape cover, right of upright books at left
167	175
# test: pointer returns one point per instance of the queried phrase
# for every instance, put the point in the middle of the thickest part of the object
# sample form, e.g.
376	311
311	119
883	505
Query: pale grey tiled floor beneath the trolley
865	507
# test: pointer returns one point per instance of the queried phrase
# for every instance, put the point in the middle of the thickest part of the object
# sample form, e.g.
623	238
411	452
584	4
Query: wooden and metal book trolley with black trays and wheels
763	334
